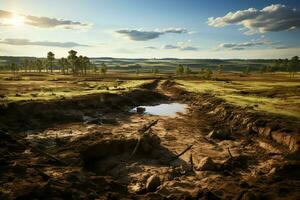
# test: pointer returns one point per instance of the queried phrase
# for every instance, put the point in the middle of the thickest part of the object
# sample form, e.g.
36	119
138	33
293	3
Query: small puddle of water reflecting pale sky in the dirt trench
170	109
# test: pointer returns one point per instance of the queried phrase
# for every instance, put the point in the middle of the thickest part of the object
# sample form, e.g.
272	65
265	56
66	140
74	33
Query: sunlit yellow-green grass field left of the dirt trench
50	88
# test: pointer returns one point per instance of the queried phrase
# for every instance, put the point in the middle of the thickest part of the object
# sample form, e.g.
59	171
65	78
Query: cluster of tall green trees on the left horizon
73	64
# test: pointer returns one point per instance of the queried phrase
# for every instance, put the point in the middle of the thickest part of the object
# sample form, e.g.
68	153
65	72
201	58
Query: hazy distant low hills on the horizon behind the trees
164	64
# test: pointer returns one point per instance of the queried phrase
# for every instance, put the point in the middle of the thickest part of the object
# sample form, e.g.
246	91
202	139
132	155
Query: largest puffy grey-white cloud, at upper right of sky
272	18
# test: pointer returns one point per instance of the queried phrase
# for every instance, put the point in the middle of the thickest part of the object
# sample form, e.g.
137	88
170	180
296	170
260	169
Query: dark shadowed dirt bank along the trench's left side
24	116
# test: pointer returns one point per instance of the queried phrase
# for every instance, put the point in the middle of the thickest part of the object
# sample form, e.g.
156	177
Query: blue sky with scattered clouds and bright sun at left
222	29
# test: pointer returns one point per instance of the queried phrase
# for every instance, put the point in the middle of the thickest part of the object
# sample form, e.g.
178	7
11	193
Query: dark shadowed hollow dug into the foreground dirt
107	156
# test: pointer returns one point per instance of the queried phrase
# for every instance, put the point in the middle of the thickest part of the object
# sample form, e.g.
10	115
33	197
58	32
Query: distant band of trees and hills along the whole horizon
81	65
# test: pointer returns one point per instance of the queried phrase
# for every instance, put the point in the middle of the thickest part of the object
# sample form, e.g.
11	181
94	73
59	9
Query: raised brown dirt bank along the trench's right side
282	131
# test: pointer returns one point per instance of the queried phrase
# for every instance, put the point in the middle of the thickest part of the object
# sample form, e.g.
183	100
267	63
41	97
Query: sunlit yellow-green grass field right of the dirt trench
284	98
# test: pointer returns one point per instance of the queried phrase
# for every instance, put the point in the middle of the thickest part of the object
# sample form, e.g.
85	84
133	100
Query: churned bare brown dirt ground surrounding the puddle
118	154
